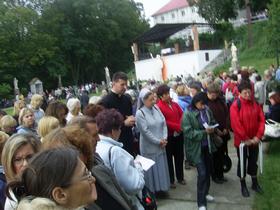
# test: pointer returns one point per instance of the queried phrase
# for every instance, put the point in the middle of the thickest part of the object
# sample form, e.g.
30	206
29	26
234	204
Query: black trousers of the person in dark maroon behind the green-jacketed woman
218	160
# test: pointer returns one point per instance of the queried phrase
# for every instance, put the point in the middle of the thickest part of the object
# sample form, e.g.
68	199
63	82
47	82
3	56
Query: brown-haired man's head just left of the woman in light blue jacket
89	124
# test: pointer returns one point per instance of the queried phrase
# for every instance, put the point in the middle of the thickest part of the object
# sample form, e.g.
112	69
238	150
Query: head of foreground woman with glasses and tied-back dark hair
58	175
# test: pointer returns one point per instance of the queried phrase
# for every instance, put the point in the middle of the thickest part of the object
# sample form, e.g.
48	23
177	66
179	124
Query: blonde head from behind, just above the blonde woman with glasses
46	125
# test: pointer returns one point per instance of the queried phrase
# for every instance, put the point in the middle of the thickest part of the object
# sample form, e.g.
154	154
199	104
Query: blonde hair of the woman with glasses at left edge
11	147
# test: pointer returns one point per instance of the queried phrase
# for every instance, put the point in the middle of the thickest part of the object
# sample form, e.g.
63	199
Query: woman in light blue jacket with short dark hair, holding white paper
129	173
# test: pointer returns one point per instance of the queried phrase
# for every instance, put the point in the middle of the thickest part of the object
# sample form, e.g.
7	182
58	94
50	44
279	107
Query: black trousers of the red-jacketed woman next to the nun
175	148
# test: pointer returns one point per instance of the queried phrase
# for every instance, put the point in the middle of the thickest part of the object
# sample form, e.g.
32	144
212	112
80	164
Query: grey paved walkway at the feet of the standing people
227	195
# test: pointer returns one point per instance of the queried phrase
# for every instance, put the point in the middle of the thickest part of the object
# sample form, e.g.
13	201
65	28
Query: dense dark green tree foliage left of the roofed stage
75	39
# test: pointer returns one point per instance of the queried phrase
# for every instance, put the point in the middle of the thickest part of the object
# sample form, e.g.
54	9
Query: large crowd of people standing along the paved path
81	155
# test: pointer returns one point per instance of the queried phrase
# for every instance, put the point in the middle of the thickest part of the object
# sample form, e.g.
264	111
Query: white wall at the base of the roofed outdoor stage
178	64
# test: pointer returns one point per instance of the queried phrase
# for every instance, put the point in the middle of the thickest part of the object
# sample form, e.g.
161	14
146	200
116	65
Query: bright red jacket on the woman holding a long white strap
248	122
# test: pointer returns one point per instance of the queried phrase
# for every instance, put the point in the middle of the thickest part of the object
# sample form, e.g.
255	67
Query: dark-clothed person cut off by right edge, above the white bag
274	109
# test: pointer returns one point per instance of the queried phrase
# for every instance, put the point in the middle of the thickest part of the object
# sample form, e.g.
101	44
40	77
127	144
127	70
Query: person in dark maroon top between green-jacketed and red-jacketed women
217	105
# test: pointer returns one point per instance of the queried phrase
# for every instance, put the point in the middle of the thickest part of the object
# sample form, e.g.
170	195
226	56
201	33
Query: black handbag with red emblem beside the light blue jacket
148	200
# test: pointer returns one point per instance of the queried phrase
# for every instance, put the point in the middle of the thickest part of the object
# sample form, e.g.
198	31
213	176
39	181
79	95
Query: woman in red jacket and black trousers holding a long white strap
247	122
